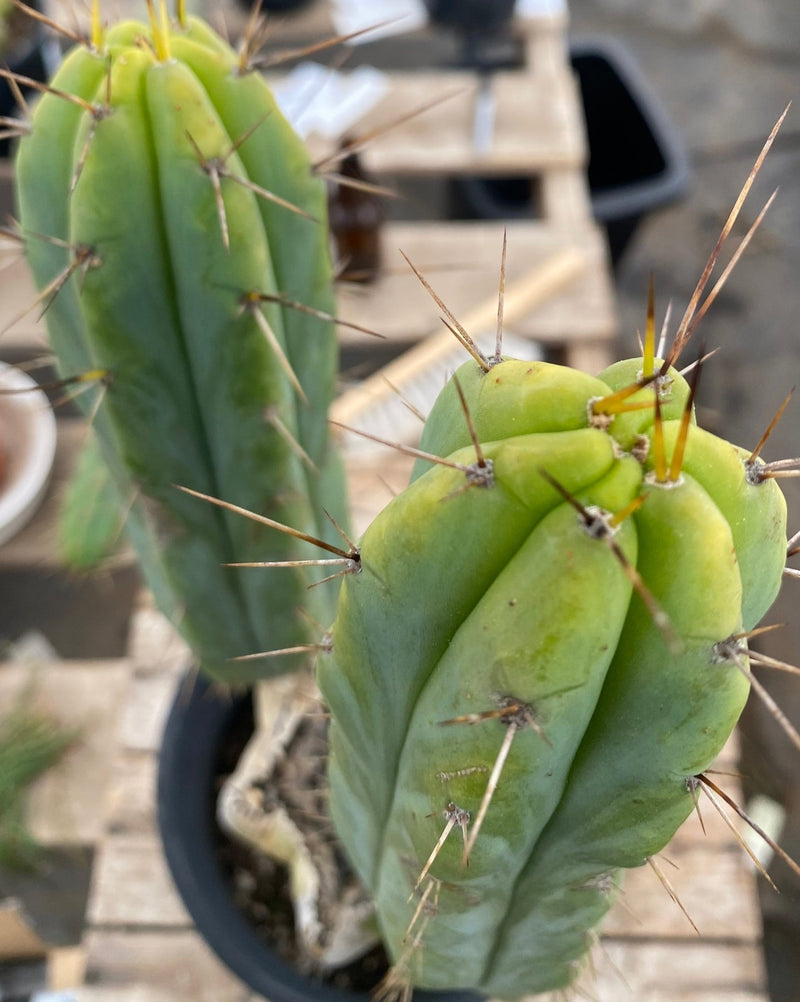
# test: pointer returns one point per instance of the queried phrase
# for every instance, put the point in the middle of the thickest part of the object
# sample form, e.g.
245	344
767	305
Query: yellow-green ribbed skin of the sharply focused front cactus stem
470	594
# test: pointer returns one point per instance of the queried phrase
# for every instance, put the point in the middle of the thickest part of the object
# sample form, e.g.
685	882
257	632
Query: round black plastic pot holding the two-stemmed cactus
199	723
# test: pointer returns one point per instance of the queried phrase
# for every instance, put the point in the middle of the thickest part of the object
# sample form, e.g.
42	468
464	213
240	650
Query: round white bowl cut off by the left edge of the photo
28	449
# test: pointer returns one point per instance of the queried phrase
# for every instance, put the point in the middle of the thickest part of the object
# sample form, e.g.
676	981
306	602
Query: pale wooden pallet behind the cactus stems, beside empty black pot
539	134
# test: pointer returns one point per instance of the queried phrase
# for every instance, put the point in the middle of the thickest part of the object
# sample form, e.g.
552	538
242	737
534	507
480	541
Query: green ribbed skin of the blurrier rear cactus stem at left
196	393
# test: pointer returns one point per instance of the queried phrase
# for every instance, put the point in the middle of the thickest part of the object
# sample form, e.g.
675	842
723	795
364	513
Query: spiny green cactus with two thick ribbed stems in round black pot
540	646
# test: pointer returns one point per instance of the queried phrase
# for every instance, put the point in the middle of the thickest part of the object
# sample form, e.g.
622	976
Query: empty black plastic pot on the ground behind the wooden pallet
637	163
